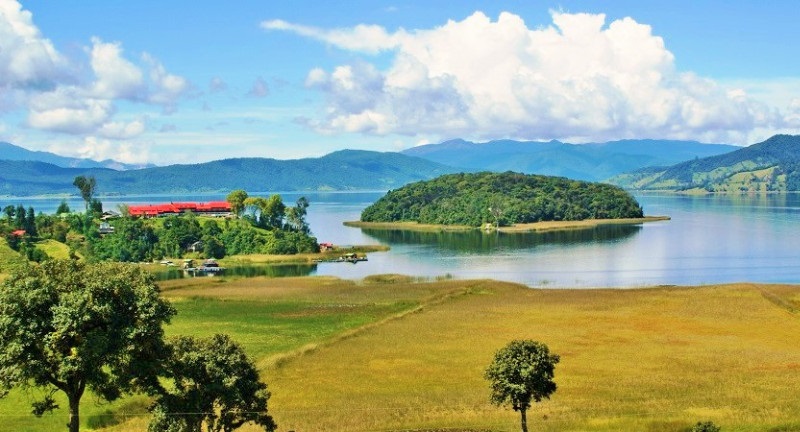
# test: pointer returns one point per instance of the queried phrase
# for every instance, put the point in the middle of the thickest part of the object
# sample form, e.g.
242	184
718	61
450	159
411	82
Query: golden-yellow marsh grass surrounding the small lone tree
637	360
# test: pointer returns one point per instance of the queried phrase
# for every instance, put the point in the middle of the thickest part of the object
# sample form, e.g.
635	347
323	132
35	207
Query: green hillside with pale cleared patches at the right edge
772	165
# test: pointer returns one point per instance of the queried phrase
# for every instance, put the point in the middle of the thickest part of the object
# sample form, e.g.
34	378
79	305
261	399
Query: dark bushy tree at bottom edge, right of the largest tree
211	382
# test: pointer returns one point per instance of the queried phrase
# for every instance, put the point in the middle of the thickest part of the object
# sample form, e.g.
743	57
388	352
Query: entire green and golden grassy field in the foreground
390	354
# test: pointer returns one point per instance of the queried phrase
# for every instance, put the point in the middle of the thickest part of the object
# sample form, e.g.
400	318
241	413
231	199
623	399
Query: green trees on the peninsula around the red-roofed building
270	227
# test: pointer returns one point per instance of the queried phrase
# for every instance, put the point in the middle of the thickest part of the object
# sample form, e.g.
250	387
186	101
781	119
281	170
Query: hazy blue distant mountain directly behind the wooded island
593	162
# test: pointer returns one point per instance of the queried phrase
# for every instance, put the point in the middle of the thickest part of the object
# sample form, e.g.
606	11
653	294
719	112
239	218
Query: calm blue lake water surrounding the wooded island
710	239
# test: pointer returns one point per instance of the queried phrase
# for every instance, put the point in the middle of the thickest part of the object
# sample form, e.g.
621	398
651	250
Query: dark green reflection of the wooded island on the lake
471	242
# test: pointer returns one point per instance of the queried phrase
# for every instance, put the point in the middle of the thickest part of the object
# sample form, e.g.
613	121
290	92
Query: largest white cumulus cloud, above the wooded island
577	79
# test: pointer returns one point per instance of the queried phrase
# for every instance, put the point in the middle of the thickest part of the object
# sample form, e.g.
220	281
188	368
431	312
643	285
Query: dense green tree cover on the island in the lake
506	198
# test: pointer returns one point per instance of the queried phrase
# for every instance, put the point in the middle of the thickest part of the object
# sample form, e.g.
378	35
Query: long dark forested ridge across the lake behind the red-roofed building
341	170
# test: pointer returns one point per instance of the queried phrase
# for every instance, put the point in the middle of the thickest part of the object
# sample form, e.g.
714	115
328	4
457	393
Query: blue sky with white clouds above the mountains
193	81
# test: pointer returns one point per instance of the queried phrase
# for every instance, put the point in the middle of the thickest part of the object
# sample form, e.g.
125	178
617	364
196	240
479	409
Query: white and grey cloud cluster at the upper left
36	78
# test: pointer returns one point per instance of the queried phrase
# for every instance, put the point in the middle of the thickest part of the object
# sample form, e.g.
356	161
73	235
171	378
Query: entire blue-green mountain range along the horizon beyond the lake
679	165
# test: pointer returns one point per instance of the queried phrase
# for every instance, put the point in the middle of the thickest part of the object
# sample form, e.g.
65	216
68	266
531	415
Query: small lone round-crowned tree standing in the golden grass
522	372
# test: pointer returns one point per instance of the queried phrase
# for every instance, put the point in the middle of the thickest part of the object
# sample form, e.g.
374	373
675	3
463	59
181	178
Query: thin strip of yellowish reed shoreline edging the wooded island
518	228
